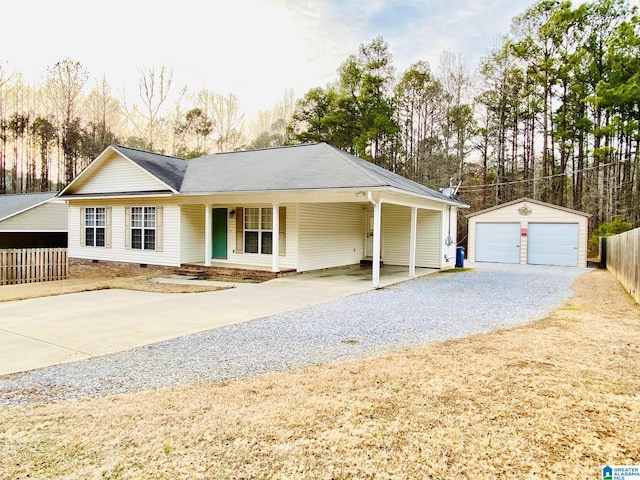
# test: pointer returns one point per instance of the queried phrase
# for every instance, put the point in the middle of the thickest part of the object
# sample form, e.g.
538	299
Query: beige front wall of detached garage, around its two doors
539	214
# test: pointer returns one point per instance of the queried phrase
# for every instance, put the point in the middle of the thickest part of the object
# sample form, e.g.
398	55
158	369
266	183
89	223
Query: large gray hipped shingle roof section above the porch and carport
301	167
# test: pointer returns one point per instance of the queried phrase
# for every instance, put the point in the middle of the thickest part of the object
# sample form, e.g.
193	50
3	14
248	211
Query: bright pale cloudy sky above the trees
253	48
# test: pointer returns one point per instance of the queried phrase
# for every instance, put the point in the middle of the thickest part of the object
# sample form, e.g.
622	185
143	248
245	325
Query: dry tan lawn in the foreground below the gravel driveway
557	398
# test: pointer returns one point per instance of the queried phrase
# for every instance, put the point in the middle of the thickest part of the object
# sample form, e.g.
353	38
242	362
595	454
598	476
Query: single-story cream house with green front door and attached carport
297	208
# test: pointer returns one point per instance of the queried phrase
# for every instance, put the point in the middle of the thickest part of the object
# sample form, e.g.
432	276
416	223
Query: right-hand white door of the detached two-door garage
553	244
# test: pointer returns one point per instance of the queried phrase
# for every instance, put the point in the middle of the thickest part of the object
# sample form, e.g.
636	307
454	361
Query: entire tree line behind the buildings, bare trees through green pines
552	113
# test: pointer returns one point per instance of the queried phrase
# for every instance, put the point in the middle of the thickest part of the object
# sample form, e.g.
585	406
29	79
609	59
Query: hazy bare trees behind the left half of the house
49	132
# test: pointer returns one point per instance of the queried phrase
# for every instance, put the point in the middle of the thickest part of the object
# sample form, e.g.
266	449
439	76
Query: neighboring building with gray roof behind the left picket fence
32	220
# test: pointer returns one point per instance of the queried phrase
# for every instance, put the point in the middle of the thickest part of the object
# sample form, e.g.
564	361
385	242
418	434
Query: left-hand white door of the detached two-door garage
498	242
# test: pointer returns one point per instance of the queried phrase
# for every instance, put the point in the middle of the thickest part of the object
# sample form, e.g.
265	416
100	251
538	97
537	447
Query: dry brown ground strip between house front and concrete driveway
84	277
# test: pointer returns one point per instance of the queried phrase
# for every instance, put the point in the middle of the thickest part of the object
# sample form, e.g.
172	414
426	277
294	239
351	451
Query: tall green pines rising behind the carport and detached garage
552	113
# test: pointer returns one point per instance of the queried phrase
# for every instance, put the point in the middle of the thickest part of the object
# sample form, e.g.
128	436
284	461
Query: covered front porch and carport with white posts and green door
314	232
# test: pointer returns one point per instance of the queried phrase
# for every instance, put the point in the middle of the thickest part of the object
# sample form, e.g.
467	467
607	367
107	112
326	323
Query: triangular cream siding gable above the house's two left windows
118	174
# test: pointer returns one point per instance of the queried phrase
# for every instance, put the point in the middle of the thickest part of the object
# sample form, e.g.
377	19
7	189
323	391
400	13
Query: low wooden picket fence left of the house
26	265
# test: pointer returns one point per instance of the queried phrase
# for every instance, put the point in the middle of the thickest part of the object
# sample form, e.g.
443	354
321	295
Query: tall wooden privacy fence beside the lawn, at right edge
622	258
